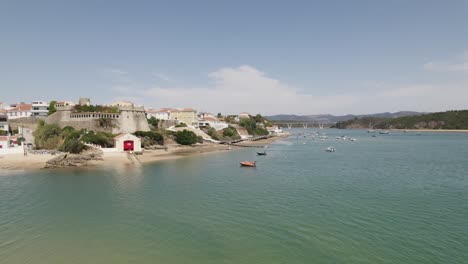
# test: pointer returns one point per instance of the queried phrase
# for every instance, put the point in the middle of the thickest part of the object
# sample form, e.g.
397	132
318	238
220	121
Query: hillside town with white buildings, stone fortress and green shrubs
71	127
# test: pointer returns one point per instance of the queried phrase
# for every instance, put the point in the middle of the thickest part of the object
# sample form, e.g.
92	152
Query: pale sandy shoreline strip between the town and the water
19	162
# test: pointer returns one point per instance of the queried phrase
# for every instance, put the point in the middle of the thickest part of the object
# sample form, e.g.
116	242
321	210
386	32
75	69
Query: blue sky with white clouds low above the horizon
303	57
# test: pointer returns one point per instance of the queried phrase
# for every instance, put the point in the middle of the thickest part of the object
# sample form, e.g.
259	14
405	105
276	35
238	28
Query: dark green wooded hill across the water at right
441	120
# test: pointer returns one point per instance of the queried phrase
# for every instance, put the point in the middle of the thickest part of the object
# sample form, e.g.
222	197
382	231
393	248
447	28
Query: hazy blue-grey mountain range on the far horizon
326	118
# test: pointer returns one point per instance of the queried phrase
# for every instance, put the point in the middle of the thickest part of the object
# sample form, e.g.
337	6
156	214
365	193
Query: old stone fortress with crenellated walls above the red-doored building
127	118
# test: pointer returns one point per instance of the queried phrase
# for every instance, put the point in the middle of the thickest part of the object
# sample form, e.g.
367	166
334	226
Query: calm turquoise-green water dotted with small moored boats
399	198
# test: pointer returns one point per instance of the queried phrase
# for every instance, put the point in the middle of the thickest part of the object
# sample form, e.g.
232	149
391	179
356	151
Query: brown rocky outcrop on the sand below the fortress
74	160
